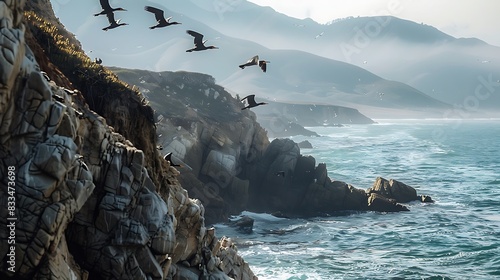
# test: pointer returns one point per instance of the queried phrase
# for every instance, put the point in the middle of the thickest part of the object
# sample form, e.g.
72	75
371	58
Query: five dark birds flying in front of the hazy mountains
199	43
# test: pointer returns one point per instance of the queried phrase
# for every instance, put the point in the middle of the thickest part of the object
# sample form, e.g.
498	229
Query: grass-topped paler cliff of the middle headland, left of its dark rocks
204	128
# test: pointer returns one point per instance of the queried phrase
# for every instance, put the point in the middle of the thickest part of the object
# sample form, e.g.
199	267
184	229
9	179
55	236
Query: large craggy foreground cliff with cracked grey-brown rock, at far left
82	199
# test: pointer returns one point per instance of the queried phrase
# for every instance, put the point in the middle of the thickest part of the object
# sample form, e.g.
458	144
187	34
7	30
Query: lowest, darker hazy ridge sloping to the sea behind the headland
299	77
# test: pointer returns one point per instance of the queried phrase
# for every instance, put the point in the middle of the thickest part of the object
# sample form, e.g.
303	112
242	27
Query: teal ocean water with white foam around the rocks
456	162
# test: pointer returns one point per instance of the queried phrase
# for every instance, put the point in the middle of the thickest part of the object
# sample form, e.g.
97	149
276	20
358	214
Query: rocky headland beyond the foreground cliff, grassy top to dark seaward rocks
233	166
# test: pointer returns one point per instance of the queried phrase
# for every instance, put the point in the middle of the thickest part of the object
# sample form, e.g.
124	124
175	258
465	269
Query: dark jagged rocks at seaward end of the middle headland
304	188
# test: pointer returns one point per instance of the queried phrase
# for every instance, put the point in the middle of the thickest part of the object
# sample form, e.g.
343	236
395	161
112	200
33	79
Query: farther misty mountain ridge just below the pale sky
420	55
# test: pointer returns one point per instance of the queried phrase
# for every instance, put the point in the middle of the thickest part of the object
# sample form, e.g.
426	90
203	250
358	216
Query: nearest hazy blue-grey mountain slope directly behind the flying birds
293	76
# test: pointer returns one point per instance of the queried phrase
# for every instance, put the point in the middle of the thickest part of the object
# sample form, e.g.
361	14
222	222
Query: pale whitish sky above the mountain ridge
458	18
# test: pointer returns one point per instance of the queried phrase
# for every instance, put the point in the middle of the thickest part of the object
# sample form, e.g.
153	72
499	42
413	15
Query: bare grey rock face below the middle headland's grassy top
218	155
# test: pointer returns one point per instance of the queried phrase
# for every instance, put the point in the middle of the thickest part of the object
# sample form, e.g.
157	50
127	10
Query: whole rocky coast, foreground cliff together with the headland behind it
85	192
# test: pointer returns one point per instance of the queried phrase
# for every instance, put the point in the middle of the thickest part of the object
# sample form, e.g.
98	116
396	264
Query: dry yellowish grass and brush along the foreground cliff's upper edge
84	73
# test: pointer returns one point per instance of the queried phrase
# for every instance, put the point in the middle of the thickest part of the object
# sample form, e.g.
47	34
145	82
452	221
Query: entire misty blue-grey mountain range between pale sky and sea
383	66
